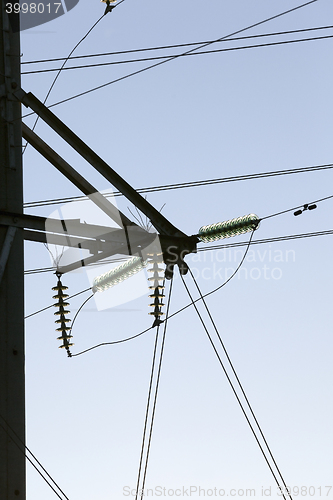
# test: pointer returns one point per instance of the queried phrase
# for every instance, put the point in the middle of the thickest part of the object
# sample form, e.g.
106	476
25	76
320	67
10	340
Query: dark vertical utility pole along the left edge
12	380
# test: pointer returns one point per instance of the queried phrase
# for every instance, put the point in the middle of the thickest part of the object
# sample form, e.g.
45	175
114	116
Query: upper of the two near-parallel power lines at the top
163	47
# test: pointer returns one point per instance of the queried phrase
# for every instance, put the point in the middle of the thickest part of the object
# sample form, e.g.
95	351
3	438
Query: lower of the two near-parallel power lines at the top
154	58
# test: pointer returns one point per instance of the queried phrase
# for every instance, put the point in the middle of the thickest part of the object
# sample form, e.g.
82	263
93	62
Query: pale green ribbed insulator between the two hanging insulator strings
118	274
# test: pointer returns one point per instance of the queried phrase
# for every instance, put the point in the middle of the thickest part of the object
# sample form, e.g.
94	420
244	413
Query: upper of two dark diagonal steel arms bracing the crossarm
157	219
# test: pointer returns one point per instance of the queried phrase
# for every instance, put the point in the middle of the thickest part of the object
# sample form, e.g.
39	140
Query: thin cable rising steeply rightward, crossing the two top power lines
180	55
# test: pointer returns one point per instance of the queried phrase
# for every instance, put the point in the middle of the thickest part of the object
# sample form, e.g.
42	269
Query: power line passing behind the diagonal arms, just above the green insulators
167	187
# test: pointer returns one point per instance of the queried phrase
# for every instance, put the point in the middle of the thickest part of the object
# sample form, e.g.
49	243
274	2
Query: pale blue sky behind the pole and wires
195	118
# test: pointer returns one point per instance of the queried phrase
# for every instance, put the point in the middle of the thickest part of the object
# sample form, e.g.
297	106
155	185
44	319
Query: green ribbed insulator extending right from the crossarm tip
229	228
